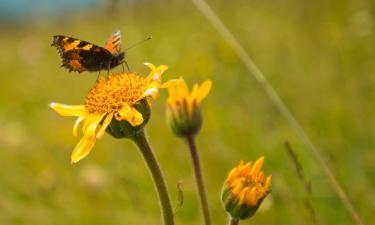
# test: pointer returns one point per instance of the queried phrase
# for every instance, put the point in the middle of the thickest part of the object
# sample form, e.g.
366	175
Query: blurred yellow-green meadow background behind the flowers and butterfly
318	55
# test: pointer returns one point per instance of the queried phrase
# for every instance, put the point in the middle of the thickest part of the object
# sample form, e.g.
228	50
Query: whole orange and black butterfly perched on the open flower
83	56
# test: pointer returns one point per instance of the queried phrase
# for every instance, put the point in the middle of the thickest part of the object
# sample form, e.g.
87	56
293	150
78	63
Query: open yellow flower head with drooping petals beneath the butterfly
115	99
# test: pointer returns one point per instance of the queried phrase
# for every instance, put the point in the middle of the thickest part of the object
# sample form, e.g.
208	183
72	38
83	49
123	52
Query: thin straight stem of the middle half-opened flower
199	178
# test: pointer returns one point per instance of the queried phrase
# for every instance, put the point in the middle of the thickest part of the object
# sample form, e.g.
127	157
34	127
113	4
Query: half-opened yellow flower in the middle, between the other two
183	109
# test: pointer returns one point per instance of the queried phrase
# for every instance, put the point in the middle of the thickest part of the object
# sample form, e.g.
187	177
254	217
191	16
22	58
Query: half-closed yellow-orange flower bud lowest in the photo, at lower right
245	189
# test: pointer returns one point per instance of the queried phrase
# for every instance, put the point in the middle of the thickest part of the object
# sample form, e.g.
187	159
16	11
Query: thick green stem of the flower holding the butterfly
157	175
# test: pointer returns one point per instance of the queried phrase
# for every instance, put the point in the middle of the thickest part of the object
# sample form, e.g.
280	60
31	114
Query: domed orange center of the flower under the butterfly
110	94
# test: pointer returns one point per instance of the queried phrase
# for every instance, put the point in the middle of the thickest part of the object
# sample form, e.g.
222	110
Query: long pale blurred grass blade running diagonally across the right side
206	10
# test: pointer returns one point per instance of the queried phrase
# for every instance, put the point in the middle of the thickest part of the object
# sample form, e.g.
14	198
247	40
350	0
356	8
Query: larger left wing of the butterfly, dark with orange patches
80	55
